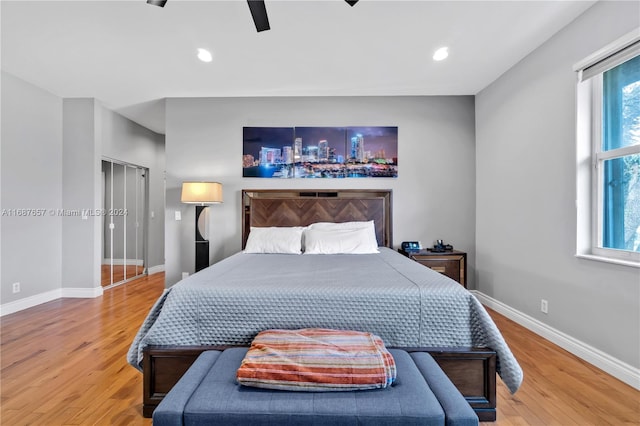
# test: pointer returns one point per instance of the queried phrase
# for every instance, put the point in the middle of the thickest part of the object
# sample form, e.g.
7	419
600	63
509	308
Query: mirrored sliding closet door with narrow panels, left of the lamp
124	222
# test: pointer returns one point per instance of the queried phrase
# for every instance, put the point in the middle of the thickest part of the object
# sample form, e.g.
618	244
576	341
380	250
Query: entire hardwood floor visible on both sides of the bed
64	363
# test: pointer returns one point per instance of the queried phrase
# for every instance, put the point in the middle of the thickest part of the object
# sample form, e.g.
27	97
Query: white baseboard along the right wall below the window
617	368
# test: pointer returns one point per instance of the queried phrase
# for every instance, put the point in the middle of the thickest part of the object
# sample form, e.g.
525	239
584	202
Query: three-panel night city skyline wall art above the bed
320	152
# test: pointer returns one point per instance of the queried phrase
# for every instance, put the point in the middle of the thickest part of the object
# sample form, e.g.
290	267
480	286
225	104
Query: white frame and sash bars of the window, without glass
591	158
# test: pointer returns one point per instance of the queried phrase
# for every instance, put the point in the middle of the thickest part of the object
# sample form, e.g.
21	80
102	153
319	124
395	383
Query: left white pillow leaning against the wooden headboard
278	240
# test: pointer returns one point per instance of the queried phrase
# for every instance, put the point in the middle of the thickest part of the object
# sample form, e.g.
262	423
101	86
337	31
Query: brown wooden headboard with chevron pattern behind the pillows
300	207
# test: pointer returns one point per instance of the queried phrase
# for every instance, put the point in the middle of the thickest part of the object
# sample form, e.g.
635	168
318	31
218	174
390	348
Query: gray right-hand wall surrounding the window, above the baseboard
526	189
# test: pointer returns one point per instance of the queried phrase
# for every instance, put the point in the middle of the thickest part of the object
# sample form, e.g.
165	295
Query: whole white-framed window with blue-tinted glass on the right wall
609	153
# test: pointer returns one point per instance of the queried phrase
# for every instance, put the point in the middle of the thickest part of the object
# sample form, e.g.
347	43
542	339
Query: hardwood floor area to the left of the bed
64	362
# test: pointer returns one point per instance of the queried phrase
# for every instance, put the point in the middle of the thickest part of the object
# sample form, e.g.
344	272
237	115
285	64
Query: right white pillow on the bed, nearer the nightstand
339	241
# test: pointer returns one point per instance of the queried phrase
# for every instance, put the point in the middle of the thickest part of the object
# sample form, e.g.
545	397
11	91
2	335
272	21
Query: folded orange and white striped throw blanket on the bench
317	360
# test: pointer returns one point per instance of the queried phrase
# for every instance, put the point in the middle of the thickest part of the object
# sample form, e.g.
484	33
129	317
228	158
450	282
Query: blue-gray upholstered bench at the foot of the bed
208	393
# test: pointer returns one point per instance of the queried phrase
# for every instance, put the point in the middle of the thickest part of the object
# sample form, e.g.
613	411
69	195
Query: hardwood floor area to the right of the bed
560	388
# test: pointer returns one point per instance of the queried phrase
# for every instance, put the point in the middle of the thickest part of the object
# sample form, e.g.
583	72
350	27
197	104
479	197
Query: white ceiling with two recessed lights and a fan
130	55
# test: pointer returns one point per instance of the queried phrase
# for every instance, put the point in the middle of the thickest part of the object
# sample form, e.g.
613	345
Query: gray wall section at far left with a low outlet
31	170
